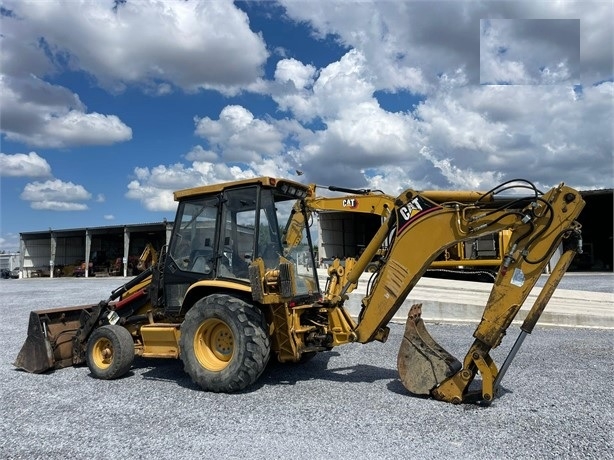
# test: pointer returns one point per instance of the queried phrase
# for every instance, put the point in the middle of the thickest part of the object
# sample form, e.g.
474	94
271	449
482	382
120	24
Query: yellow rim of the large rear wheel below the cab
214	344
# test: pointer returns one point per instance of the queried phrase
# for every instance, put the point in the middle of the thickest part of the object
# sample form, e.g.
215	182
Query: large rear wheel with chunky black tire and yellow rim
224	343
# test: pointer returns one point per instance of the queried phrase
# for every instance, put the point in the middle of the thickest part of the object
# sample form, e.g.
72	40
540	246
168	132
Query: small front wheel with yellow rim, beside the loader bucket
110	352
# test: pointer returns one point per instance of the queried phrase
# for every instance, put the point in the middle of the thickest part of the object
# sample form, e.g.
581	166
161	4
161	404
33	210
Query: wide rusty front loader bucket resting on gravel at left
50	339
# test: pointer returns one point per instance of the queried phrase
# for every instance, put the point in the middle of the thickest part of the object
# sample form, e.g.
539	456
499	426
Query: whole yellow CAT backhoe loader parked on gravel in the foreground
229	292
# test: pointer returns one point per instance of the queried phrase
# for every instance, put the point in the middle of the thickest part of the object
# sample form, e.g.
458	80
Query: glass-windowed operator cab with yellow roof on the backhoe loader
220	230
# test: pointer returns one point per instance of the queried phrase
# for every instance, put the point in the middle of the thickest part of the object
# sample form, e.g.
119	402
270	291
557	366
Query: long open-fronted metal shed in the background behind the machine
115	250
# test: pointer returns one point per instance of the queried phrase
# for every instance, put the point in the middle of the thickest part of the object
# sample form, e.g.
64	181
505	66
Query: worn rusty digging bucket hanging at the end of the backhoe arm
422	363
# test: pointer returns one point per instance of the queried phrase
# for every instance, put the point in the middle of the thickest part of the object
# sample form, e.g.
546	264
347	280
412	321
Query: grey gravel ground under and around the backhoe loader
348	403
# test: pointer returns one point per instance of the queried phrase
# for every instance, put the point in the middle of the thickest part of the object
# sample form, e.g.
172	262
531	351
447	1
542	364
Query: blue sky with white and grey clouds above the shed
107	107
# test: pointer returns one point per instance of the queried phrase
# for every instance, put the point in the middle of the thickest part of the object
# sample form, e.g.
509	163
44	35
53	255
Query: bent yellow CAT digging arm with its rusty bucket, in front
420	230
